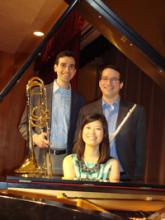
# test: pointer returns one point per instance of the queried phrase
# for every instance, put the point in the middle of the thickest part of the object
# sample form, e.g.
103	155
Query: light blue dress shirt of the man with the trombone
60	117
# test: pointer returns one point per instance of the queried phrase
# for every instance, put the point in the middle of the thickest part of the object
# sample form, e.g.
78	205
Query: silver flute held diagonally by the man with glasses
113	135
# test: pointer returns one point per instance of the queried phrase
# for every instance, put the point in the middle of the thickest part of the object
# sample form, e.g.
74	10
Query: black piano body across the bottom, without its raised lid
54	198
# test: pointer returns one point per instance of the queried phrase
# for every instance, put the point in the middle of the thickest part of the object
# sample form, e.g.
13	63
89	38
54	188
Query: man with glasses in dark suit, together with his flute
126	124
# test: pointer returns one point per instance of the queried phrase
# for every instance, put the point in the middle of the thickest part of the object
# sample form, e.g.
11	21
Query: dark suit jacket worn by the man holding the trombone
76	103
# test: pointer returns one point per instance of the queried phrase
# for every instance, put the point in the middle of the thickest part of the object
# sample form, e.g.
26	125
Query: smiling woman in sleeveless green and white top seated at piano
91	160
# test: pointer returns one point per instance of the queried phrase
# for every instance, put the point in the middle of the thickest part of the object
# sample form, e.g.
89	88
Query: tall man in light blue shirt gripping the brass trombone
63	105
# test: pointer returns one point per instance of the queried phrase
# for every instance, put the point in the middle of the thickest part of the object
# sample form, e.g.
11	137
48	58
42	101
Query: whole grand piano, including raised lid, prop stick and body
54	198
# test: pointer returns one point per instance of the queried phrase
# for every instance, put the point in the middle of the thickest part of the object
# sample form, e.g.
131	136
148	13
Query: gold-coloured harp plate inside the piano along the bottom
105	201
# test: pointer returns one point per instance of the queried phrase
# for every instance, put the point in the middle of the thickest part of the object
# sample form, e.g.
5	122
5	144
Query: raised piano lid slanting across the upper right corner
136	28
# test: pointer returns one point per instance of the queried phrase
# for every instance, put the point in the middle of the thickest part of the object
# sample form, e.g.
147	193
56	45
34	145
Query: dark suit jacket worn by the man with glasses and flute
130	141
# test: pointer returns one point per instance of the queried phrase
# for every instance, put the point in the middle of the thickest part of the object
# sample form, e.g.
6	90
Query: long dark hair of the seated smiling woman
104	150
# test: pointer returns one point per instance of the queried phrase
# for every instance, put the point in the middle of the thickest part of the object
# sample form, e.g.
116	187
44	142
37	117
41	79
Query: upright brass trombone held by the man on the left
38	117
